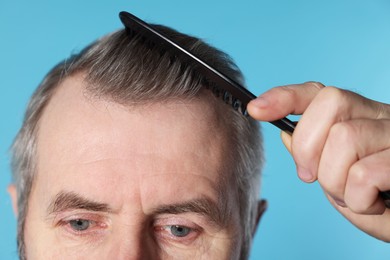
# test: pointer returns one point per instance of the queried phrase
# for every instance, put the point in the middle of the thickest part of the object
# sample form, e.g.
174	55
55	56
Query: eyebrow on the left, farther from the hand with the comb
69	200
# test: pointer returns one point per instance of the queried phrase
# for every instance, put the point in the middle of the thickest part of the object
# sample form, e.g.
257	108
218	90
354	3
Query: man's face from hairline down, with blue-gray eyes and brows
122	182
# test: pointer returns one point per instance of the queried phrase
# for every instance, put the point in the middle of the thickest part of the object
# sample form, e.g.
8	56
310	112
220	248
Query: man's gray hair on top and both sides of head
126	70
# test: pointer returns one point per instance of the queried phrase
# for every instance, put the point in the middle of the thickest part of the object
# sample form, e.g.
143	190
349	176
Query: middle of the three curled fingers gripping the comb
357	139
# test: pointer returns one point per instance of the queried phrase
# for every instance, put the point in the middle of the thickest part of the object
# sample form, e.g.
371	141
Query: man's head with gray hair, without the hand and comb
125	155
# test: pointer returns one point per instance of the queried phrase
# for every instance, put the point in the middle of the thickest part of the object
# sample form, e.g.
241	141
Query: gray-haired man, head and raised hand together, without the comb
124	154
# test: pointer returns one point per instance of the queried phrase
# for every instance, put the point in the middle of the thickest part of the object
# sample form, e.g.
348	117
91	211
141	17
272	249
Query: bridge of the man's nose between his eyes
137	243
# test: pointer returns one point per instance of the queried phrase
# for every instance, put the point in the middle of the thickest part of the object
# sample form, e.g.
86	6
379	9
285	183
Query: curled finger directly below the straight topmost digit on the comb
329	107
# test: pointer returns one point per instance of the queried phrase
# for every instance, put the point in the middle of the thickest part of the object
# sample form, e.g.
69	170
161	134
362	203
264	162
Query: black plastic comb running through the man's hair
222	86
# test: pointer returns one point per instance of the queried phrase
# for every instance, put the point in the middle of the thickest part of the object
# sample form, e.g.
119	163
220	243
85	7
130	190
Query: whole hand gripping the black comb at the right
343	141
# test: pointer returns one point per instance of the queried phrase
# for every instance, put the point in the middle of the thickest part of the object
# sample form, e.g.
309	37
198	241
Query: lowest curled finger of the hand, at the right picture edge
366	179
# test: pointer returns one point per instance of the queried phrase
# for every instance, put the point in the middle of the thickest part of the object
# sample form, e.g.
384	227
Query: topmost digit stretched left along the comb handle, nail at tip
282	101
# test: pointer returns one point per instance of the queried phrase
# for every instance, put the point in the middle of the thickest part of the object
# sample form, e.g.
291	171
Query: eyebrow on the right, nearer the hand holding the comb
202	206
